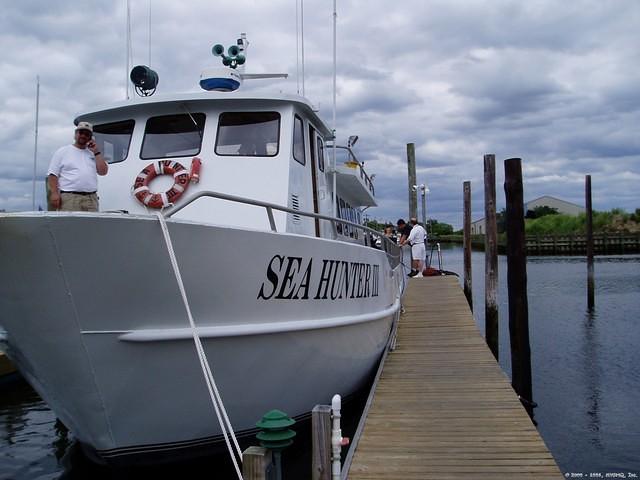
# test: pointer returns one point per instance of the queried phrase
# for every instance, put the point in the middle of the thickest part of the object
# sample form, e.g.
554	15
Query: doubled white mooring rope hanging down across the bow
214	394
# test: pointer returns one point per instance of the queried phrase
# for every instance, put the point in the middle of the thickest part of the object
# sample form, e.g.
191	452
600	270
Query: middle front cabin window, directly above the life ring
173	136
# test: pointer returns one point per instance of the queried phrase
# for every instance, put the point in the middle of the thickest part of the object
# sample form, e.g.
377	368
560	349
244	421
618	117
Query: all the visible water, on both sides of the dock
586	382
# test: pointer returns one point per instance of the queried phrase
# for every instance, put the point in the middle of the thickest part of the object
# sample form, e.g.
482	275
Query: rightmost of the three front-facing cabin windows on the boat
248	134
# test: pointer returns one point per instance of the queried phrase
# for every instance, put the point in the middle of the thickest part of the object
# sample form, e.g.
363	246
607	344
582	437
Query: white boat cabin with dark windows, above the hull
271	149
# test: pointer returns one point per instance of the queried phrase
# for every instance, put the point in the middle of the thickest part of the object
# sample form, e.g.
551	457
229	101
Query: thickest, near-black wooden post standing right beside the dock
517	285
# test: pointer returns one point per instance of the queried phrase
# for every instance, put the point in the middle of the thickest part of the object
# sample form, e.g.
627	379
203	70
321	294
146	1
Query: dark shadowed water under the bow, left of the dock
34	446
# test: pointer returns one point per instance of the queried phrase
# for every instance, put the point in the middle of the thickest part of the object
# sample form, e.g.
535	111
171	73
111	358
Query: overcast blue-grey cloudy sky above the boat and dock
555	83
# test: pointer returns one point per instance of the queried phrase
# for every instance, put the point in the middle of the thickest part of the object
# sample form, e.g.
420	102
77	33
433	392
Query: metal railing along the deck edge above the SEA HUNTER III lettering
390	248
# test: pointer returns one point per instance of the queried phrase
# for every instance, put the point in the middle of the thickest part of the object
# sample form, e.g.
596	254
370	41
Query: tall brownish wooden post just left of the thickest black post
490	256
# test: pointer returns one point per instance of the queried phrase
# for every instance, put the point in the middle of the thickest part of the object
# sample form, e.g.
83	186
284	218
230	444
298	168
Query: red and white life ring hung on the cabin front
162	199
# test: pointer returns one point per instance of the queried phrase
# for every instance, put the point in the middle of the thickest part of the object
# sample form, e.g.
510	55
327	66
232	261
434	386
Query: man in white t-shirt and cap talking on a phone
72	178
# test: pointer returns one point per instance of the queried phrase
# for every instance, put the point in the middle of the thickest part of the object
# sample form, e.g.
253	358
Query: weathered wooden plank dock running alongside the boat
443	409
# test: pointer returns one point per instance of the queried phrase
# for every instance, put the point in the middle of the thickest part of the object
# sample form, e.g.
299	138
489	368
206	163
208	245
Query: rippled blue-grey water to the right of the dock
585	375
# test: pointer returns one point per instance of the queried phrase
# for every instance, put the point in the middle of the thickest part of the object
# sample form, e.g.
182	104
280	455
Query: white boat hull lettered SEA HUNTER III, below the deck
95	321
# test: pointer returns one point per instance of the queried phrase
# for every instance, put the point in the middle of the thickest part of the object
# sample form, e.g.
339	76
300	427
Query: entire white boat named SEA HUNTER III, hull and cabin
221	208
